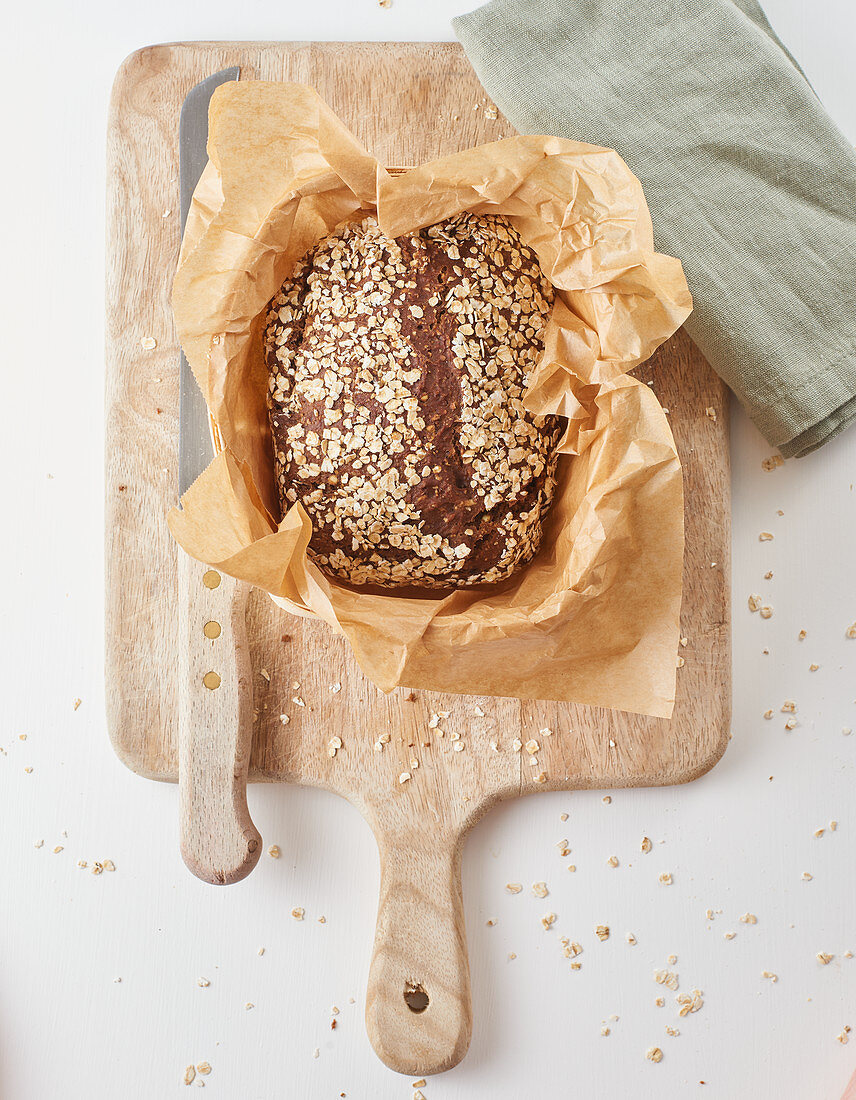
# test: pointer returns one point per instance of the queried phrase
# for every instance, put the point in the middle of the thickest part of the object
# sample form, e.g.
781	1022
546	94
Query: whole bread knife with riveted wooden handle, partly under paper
220	842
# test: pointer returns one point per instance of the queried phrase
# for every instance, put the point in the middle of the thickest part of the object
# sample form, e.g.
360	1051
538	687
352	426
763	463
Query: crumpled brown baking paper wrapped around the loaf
595	618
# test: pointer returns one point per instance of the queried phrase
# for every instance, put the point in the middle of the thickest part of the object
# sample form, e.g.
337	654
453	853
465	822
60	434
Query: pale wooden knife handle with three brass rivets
220	842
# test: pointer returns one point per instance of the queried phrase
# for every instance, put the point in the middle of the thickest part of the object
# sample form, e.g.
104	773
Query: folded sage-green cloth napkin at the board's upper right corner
749	181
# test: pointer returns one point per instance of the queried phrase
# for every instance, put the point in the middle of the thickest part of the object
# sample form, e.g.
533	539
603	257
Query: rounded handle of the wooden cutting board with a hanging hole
419	1011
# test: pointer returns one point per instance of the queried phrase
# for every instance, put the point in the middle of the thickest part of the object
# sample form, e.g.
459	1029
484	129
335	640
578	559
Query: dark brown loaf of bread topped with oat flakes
397	371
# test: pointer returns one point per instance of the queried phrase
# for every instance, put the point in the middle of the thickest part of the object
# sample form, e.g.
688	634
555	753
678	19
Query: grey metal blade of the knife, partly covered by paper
195	445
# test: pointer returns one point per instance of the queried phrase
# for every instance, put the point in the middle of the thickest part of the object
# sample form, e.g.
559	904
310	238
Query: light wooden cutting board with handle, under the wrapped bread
409	103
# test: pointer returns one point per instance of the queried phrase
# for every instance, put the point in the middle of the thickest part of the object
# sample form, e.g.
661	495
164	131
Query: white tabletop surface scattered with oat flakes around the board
737	841
